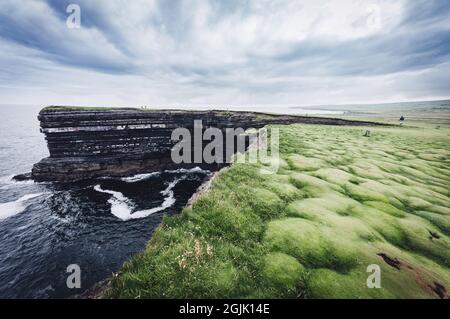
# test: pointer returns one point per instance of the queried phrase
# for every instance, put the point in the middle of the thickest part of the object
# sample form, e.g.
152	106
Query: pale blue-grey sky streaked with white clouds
224	52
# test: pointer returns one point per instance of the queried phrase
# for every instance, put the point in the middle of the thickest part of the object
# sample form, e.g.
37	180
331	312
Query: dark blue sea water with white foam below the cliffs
97	224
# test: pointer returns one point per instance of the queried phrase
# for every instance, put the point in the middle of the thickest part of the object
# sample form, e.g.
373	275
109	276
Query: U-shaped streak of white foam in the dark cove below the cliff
122	207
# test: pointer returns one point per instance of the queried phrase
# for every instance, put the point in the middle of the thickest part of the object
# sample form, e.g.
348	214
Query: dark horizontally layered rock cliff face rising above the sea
92	142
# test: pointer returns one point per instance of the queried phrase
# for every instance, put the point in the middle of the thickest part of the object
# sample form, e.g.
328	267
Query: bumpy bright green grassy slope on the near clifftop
338	201
